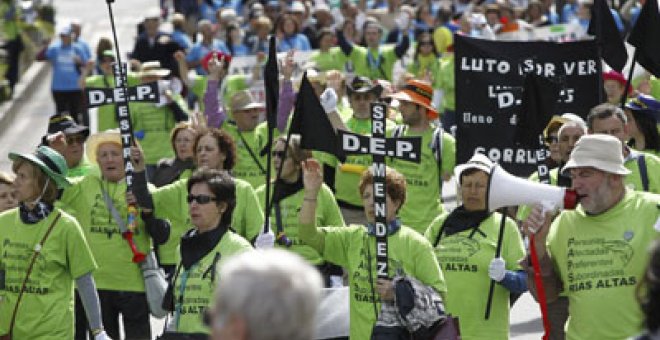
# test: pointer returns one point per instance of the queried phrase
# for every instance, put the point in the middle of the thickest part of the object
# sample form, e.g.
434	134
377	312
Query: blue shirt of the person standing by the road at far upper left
65	70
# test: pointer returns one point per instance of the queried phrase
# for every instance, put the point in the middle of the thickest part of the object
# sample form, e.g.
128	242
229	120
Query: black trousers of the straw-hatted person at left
134	311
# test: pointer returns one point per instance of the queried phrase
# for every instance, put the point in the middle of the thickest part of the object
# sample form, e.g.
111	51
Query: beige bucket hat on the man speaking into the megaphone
599	151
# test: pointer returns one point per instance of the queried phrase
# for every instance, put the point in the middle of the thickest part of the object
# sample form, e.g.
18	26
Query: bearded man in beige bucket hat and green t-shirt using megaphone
597	253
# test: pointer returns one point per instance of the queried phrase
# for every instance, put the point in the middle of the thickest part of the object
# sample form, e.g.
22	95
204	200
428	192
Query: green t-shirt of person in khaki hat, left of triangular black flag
247	167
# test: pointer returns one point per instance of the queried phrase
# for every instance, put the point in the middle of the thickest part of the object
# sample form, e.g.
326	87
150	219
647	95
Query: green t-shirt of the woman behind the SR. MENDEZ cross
352	248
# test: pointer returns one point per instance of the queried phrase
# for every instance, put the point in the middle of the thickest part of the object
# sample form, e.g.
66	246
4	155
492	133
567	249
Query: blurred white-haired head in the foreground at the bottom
270	294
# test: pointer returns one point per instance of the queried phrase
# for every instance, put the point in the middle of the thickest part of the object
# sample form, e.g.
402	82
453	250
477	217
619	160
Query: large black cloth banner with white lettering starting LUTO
489	82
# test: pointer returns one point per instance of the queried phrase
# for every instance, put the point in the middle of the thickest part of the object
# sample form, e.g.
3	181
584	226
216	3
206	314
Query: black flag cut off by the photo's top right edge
645	37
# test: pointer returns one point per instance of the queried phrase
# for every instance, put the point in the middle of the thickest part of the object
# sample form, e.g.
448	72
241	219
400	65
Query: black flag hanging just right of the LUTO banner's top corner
609	39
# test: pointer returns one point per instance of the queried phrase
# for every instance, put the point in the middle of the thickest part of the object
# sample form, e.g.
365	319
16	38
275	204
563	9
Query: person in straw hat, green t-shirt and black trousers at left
100	203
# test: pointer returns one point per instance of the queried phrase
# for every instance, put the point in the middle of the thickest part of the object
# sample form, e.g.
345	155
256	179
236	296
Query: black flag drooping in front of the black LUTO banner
536	108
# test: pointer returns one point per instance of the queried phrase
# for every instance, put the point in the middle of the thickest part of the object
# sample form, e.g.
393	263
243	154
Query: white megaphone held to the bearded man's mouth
507	190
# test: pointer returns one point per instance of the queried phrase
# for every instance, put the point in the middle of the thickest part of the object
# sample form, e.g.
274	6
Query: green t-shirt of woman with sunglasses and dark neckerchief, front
194	289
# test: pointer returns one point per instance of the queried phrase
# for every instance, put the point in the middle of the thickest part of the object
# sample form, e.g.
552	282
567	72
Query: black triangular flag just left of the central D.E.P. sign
311	122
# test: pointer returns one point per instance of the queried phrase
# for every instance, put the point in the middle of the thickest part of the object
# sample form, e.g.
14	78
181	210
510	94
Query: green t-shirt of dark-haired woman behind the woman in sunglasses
170	203
